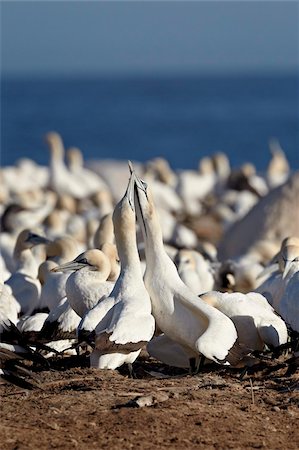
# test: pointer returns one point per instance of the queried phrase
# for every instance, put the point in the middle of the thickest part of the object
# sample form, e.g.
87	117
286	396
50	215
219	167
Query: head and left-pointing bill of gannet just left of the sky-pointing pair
94	260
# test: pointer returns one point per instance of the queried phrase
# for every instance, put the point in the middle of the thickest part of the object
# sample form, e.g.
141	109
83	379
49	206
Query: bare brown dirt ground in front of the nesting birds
78	407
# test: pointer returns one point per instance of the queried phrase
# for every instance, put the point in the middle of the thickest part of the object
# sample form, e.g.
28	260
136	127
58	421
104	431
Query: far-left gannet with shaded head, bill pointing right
25	286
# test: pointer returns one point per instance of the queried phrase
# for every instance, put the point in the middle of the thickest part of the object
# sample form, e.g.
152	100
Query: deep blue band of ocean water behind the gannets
138	118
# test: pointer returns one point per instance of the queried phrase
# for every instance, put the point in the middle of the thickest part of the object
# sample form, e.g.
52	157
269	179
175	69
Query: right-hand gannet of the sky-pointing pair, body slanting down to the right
178	312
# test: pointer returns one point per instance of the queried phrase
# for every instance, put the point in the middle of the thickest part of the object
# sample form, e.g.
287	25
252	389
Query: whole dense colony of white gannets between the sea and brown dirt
111	259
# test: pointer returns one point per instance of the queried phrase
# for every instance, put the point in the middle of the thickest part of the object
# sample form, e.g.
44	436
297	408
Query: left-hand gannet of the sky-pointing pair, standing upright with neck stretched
128	325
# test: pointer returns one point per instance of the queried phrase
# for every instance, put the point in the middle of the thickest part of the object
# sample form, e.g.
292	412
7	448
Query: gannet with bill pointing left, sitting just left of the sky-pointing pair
87	283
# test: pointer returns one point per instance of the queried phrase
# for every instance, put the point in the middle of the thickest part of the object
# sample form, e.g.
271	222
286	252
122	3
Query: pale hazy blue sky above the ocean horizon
148	37
